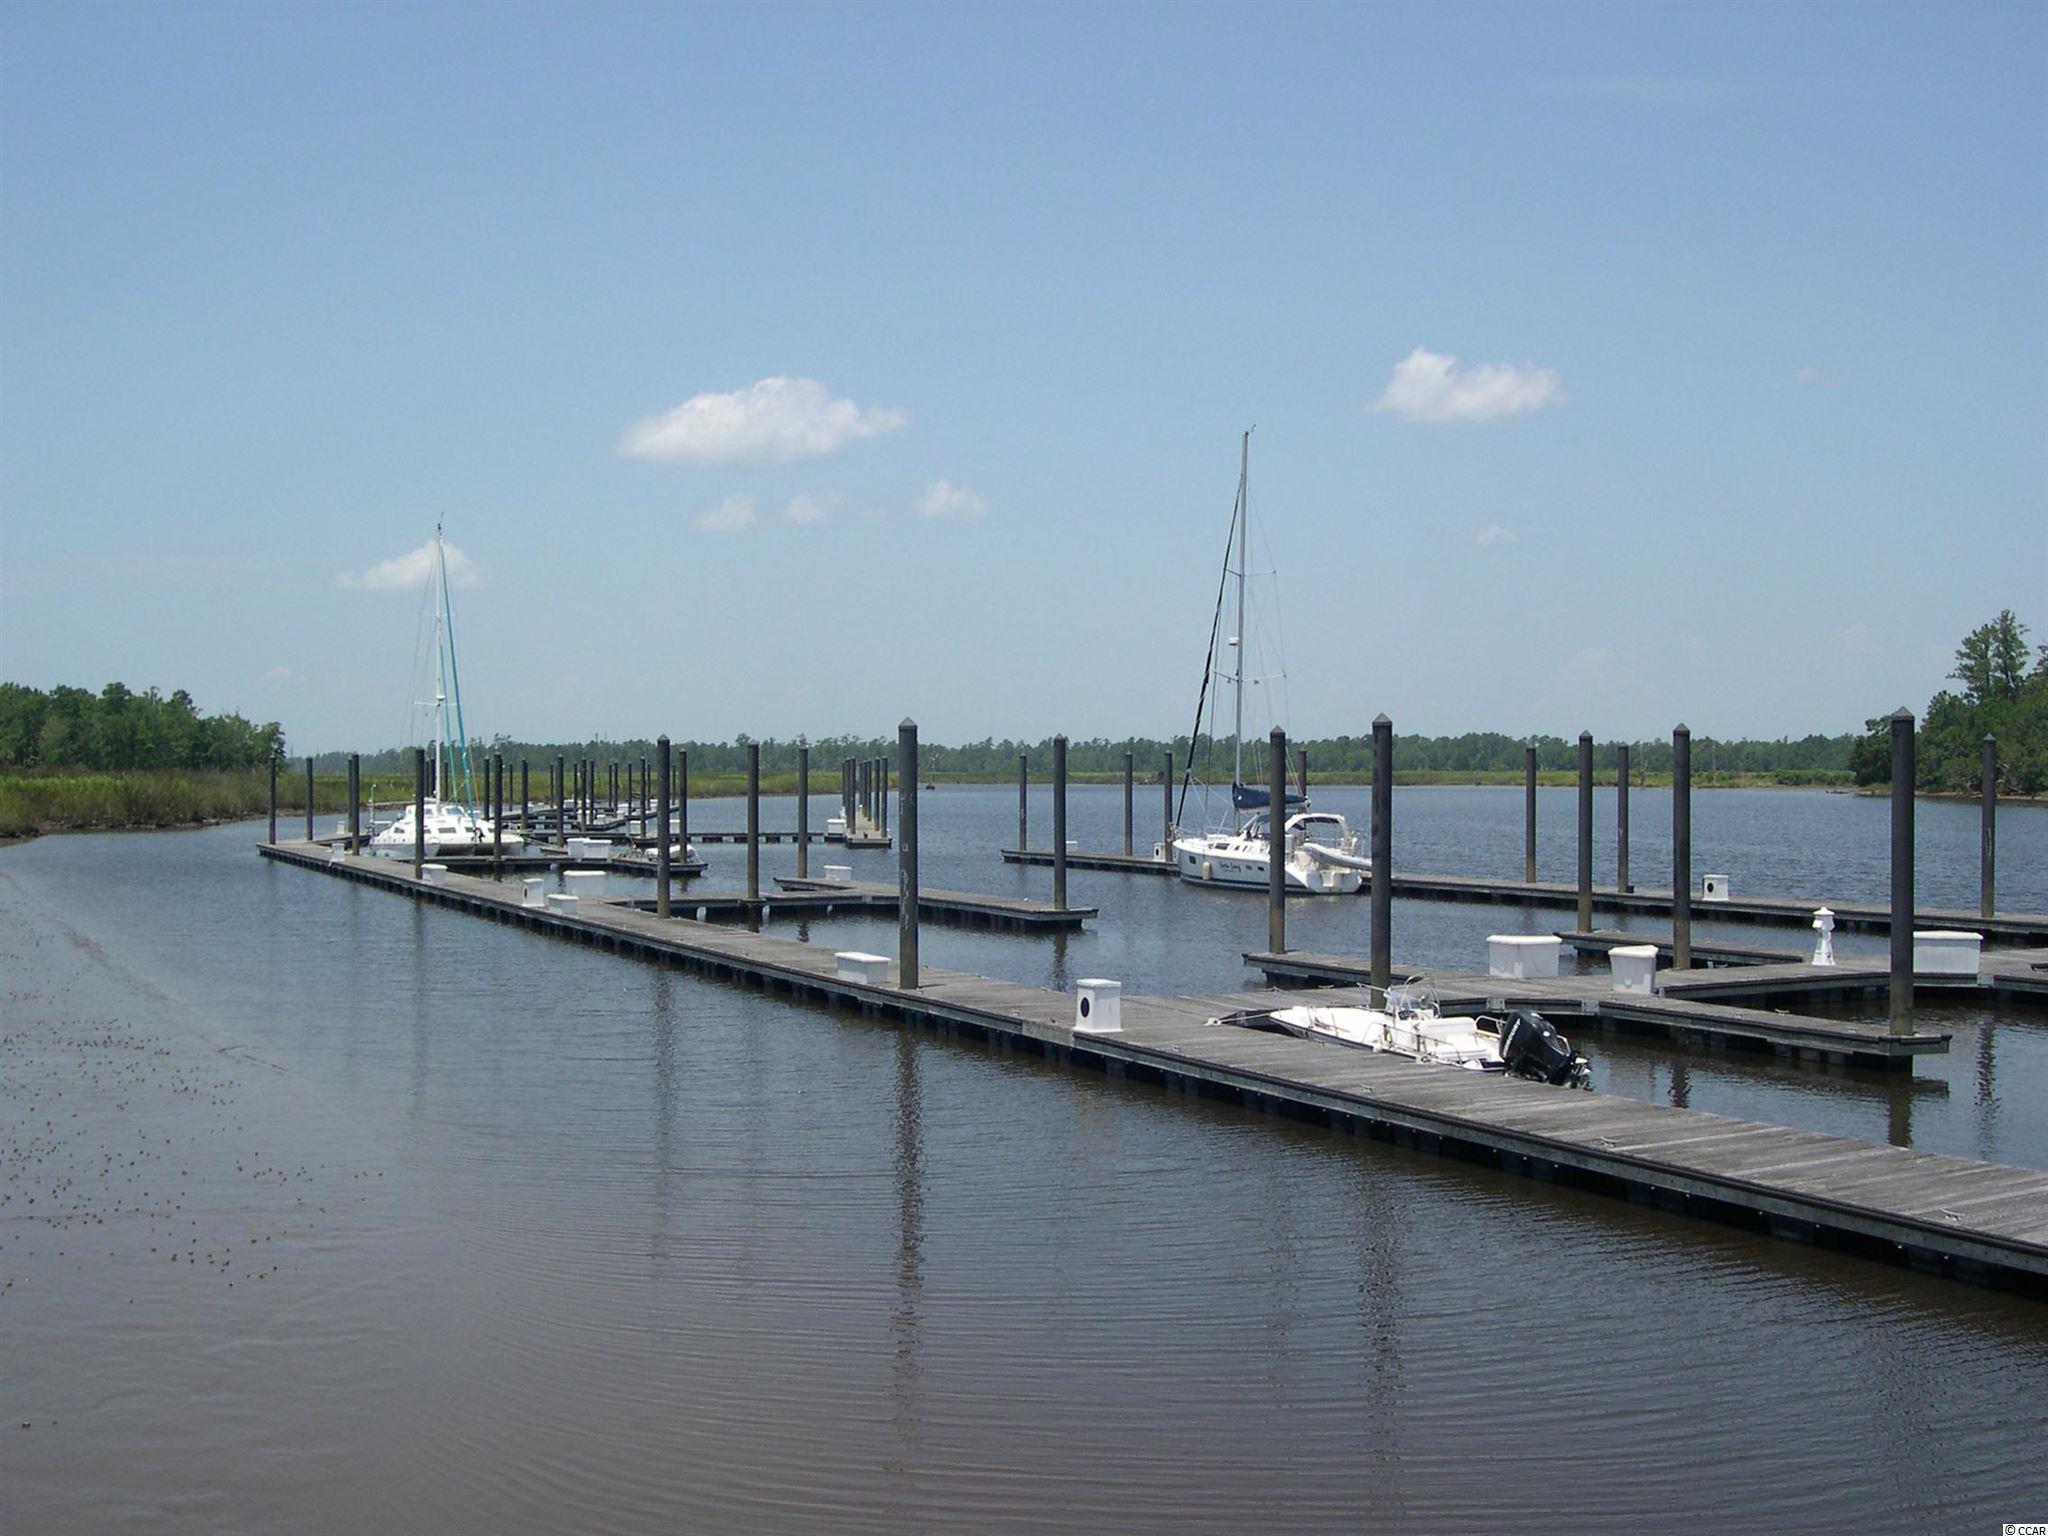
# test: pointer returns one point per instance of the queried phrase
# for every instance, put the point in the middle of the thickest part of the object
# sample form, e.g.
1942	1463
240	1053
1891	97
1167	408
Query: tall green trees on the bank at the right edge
2002	693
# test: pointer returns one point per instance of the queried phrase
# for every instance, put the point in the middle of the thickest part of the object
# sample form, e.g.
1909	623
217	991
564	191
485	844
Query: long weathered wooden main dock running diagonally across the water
1979	1222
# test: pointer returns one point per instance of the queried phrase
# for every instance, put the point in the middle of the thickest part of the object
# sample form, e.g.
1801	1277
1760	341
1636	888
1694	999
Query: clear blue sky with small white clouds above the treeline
1730	402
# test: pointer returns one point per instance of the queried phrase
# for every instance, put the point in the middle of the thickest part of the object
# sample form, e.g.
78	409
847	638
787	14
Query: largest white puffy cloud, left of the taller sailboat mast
775	419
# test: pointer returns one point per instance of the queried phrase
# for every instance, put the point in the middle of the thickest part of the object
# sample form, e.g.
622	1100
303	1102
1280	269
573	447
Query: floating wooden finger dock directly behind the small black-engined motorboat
1594	998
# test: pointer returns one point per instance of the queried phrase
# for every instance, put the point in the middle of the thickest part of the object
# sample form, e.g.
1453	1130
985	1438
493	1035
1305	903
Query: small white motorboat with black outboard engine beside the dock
1412	1025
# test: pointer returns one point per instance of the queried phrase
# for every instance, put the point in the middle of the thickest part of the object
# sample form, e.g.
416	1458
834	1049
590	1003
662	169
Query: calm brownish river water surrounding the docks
353	1215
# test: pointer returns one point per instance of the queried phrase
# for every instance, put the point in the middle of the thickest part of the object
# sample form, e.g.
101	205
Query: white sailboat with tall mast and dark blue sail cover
1318	849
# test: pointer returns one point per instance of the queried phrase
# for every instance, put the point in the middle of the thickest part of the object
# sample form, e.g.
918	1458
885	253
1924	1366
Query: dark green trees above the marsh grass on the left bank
71	730
